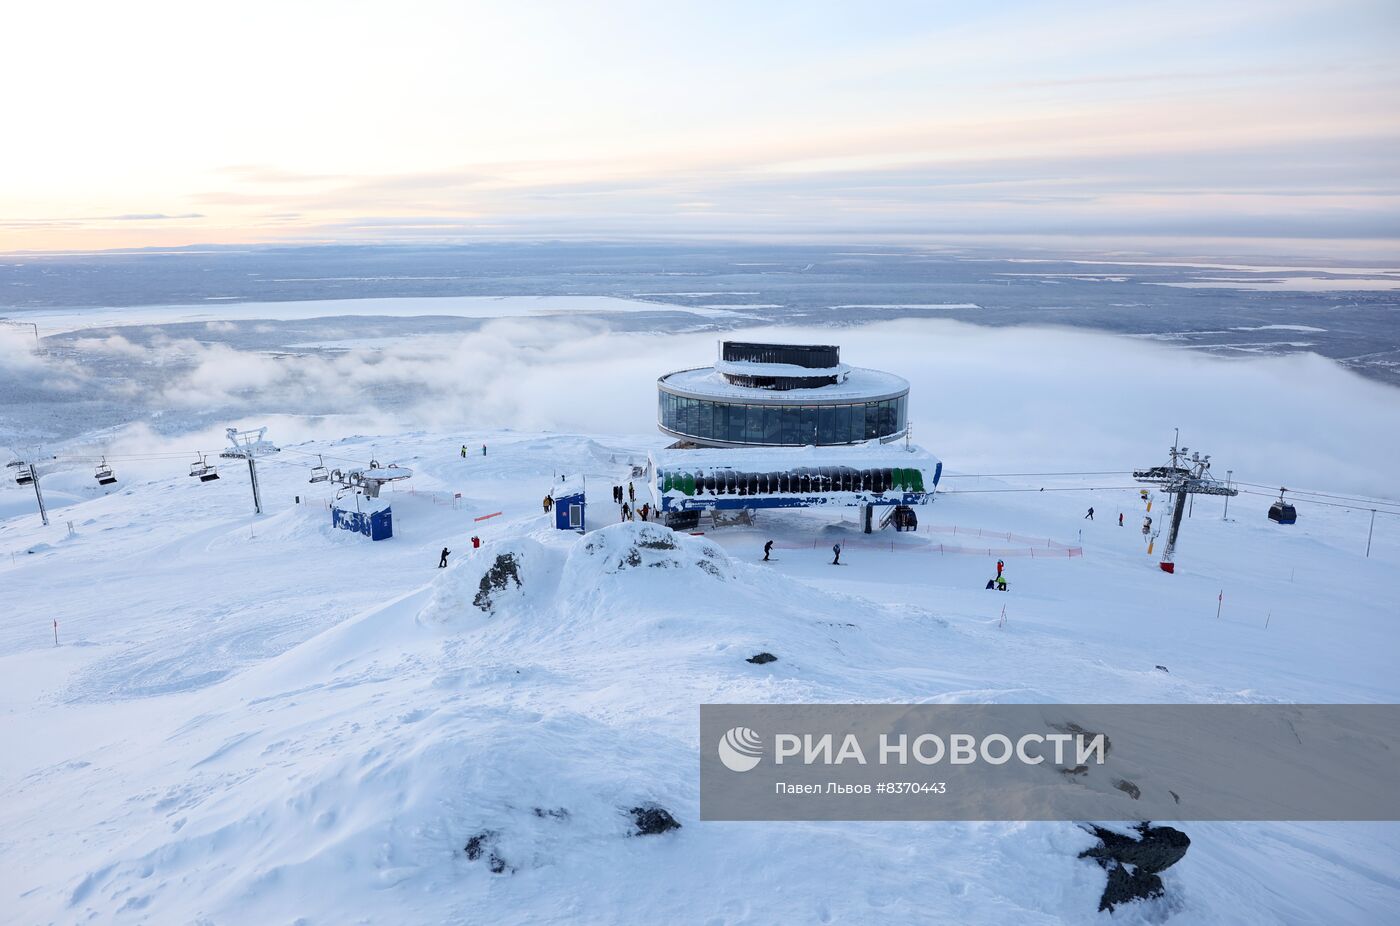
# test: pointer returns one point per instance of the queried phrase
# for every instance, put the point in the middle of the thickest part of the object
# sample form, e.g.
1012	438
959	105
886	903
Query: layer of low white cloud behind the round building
985	400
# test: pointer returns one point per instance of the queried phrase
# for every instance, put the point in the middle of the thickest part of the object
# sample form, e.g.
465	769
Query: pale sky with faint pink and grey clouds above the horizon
148	124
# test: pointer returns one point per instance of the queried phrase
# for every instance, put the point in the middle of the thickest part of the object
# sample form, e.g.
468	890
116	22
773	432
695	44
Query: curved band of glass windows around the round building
782	425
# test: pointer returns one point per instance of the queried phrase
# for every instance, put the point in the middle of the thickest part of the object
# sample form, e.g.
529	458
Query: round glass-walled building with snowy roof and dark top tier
782	396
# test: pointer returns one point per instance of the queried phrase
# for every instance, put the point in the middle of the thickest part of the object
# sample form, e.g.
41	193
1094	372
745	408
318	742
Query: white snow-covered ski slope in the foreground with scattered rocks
264	719
